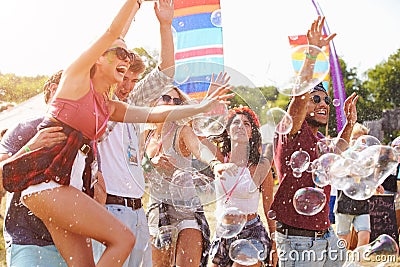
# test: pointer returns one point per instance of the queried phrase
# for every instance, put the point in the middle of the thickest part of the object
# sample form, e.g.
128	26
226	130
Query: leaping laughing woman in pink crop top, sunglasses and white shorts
82	107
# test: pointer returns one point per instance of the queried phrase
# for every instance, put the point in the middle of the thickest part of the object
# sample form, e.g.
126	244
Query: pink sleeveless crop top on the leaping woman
81	114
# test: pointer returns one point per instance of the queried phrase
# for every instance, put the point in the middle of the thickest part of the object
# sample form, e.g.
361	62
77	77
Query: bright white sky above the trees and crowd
42	36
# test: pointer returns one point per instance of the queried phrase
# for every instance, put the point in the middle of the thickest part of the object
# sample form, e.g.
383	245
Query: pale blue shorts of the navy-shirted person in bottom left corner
31	255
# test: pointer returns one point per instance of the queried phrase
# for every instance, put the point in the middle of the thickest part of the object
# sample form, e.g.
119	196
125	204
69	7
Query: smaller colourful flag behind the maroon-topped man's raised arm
321	64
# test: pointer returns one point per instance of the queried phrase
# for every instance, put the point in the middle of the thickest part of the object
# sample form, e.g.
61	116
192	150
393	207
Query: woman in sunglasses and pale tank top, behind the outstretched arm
169	149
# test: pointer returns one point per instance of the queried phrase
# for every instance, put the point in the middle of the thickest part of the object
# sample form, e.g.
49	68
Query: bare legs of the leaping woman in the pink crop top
72	216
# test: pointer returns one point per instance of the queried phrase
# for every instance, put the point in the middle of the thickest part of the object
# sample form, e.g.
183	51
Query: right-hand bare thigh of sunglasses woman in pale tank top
189	248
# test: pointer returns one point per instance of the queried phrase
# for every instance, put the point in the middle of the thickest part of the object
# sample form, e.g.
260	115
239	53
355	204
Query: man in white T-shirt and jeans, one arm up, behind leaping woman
120	146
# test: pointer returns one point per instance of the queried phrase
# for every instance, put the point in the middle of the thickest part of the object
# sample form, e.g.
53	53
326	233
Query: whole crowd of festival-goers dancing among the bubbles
76	176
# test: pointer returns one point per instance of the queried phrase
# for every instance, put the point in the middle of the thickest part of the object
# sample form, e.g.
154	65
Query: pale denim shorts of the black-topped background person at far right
344	221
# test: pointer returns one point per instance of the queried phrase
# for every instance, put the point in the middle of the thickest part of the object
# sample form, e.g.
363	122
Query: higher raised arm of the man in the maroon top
298	105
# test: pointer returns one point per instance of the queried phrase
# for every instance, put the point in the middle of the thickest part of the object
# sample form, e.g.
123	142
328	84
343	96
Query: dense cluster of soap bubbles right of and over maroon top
357	170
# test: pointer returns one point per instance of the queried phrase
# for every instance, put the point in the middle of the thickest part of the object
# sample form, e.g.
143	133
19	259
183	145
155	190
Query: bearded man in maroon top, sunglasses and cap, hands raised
300	239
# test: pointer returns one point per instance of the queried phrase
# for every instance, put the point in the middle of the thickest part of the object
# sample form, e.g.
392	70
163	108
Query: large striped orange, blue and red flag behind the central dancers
198	44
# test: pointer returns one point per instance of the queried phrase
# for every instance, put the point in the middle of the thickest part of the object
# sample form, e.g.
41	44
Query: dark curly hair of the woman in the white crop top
223	140
